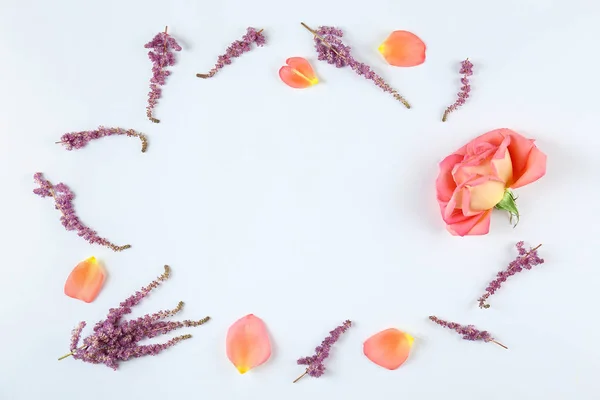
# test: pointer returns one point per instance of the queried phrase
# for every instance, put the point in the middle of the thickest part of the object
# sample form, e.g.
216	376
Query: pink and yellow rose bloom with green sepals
477	177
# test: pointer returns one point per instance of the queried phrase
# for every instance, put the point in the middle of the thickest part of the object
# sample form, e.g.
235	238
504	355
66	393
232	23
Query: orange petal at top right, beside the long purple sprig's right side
403	49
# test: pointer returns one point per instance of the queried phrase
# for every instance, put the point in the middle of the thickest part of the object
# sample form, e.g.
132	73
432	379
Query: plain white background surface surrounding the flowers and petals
303	207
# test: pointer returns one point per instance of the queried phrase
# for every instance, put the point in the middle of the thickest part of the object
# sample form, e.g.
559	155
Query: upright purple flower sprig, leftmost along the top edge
161	57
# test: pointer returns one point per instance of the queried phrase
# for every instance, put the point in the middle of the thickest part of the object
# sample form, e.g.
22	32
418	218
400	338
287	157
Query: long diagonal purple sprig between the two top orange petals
330	48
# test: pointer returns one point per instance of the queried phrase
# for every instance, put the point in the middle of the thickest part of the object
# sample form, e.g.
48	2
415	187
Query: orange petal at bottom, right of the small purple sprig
388	348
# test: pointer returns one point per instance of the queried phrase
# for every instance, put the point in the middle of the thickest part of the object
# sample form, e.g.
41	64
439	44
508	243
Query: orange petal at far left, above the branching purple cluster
86	280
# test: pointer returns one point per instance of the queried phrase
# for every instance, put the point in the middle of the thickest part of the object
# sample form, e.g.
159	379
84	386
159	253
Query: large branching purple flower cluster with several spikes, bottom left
114	341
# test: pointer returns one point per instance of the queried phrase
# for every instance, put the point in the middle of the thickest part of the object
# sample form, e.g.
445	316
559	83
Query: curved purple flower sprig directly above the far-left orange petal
63	199
